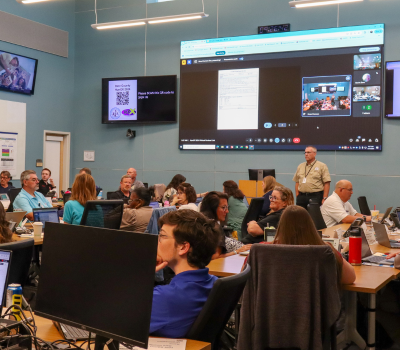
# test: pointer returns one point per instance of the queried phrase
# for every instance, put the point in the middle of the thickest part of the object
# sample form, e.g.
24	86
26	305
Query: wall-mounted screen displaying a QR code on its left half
139	100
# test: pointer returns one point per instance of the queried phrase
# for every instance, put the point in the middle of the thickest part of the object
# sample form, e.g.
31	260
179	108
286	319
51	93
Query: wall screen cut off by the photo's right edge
392	91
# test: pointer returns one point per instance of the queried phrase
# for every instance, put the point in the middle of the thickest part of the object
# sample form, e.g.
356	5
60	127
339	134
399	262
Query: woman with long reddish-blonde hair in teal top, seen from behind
83	190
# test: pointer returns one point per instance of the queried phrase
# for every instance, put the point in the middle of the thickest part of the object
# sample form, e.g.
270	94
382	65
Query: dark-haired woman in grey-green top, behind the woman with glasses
237	209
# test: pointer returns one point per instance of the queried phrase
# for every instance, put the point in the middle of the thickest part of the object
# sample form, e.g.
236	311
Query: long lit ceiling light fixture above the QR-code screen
154	20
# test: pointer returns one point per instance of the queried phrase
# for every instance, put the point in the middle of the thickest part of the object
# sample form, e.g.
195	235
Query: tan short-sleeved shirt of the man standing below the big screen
317	174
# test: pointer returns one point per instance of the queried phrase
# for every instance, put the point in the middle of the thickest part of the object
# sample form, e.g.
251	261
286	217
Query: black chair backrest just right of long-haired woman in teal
103	213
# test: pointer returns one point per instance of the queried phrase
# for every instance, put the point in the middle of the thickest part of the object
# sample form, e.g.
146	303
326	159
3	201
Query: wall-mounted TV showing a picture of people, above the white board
17	73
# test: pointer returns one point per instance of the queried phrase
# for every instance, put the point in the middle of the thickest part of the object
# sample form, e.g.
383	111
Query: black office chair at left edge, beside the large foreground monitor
21	258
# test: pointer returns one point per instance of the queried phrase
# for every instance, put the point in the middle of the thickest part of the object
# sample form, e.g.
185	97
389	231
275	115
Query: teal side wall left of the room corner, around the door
51	107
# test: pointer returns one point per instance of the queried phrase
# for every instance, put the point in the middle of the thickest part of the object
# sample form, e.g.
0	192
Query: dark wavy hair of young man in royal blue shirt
194	228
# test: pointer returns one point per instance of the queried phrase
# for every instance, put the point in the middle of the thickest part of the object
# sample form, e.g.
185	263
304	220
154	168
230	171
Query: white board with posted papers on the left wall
12	137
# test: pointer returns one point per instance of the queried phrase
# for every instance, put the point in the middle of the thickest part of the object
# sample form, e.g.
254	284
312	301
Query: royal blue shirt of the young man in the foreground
177	305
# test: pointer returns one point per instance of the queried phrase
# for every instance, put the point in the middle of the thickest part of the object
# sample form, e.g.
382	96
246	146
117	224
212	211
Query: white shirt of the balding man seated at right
334	210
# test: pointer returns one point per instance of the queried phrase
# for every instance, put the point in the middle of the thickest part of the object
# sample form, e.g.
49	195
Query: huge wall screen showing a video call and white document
283	91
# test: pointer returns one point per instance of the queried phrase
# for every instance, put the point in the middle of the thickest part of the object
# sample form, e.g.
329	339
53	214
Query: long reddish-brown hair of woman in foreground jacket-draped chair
297	228
